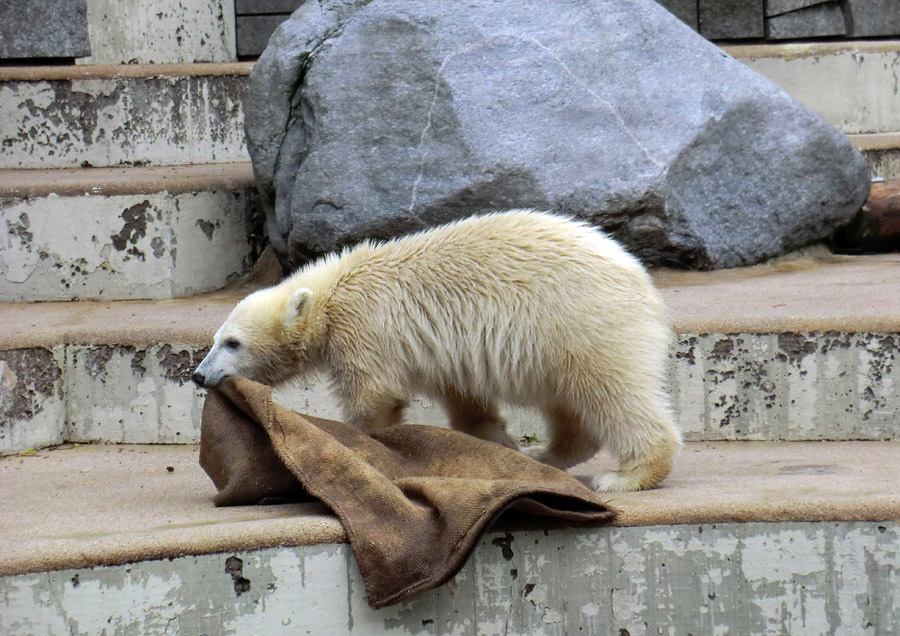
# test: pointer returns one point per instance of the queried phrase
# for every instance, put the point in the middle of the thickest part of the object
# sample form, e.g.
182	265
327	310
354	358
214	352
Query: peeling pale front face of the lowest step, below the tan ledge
836	578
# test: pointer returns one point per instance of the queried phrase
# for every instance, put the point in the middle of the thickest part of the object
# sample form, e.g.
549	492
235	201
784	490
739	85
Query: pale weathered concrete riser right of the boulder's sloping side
851	84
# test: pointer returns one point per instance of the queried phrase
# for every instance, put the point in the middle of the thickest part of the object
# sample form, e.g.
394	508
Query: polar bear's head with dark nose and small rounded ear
271	336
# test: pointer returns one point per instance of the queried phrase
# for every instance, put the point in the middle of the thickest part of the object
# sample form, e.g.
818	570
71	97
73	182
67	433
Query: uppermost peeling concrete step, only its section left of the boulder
154	114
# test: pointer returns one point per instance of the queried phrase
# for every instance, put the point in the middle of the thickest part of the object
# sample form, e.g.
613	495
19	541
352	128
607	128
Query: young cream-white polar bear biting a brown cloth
521	308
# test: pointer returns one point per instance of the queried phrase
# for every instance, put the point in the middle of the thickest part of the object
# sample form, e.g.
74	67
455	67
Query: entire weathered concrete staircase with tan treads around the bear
780	517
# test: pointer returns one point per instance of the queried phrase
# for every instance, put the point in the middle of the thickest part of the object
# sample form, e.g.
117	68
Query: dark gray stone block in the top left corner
41	28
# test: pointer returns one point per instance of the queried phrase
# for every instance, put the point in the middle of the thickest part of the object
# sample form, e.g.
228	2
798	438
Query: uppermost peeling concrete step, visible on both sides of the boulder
168	114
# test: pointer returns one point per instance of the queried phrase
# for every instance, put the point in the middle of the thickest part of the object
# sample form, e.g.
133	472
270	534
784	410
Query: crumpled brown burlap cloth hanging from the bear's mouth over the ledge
413	499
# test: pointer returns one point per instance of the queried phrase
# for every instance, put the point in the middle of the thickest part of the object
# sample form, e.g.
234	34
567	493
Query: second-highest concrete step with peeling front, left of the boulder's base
125	233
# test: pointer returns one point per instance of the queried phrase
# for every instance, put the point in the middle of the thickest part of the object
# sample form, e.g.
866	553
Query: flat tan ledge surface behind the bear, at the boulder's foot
807	292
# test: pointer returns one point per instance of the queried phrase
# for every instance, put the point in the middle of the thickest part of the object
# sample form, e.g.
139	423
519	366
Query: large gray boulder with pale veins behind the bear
373	119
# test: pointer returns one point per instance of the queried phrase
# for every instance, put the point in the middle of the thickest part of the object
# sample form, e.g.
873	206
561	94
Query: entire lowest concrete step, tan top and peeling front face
745	538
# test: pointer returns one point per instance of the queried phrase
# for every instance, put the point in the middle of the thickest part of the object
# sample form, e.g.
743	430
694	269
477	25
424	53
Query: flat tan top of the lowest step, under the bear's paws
140	509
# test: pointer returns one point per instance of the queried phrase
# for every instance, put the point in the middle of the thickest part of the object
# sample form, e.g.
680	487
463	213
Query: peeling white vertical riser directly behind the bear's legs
792	387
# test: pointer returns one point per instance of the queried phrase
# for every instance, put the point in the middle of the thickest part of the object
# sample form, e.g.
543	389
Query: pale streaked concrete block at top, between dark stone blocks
164	31
